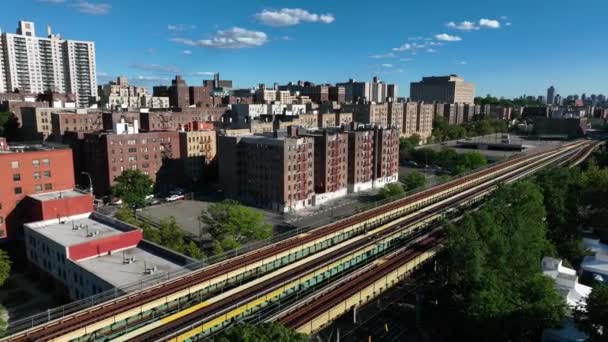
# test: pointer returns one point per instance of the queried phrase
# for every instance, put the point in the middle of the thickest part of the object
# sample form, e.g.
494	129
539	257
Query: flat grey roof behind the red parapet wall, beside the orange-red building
74	230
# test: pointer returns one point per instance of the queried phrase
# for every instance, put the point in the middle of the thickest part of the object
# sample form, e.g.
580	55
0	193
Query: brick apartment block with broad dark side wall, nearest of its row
275	172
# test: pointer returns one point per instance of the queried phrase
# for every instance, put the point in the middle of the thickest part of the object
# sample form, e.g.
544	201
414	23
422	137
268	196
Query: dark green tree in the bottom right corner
592	318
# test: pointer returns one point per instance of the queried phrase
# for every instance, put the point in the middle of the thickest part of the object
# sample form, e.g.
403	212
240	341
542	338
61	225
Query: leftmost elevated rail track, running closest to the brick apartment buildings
132	304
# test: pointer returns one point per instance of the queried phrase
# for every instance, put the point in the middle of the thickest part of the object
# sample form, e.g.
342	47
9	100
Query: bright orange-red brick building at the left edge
27	171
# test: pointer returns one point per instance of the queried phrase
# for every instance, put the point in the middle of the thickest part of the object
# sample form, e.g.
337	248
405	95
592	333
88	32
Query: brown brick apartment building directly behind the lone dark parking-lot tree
106	155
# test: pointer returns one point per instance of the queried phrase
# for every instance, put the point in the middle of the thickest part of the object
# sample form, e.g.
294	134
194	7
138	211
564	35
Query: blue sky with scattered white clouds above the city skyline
507	48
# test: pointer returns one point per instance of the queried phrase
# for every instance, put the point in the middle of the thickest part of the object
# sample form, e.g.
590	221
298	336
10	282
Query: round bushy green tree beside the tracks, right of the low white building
233	224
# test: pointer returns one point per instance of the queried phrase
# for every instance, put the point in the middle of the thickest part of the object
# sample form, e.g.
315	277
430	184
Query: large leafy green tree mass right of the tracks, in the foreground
490	281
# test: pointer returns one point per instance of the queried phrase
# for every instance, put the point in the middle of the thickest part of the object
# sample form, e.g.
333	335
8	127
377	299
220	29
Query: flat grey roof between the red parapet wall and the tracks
115	271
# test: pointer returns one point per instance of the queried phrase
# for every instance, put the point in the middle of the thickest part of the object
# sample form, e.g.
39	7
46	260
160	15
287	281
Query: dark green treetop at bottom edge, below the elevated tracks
267	332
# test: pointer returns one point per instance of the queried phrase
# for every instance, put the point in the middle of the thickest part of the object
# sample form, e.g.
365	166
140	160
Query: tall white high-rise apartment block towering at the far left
37	64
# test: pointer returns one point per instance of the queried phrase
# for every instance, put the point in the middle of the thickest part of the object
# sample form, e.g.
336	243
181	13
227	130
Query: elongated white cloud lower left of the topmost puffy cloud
233	38
